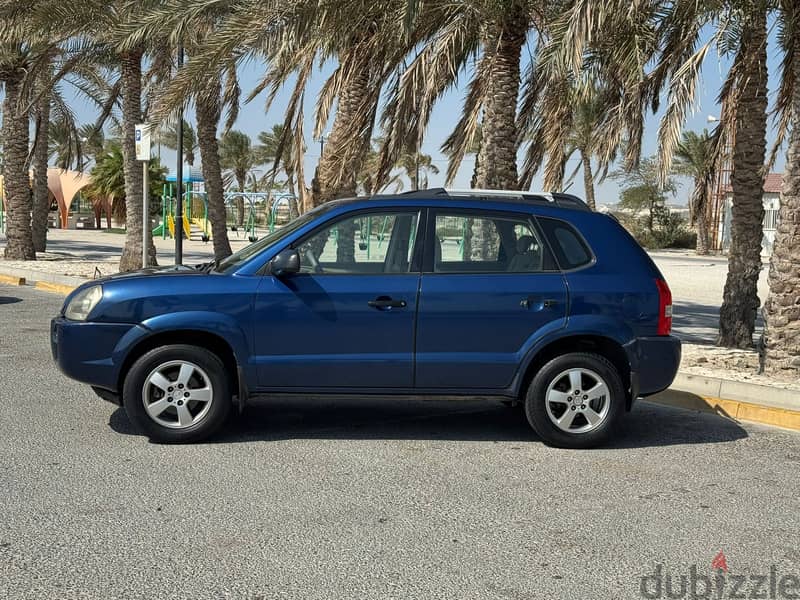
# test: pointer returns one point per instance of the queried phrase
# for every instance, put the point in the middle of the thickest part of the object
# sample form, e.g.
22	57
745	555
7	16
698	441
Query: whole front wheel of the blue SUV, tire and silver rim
177	394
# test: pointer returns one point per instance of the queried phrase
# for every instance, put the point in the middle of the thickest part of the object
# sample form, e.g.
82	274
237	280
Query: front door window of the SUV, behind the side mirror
361	244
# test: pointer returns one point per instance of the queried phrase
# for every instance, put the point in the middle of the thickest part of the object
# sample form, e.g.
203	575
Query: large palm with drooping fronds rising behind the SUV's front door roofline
369	40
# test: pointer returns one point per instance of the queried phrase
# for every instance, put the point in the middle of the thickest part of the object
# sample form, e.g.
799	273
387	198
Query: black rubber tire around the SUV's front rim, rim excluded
209	362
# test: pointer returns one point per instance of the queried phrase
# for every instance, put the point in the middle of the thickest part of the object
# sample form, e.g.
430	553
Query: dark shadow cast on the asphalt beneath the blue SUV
648	425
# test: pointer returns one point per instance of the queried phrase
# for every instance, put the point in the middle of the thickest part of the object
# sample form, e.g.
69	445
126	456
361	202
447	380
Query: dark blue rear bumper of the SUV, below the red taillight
654	363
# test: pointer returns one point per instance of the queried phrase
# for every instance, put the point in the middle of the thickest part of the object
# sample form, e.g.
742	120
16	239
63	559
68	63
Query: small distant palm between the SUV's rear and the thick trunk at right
694	158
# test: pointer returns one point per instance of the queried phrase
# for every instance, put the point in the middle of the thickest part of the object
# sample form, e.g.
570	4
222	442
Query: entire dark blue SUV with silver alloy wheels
527	297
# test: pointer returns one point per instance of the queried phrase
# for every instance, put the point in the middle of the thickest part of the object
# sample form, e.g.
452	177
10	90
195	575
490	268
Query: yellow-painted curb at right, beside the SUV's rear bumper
736	400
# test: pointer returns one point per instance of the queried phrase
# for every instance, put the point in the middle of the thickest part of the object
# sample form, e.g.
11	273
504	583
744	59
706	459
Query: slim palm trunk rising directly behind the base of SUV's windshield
208	115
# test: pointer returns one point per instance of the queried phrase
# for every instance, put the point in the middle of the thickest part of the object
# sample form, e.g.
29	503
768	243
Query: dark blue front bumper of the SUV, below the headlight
87	352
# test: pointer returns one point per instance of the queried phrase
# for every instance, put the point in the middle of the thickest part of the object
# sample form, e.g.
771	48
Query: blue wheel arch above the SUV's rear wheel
597	344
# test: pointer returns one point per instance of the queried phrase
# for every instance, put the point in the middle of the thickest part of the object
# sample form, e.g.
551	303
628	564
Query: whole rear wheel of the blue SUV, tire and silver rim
552	410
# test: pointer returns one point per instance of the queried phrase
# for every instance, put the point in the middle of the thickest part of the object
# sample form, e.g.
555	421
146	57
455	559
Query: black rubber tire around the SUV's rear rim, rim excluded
536	410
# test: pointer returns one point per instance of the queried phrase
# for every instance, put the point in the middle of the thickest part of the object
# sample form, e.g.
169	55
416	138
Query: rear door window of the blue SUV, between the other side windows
486	243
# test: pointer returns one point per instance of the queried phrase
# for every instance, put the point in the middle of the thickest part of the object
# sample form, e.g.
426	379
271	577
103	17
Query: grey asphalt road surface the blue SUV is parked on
368	499
